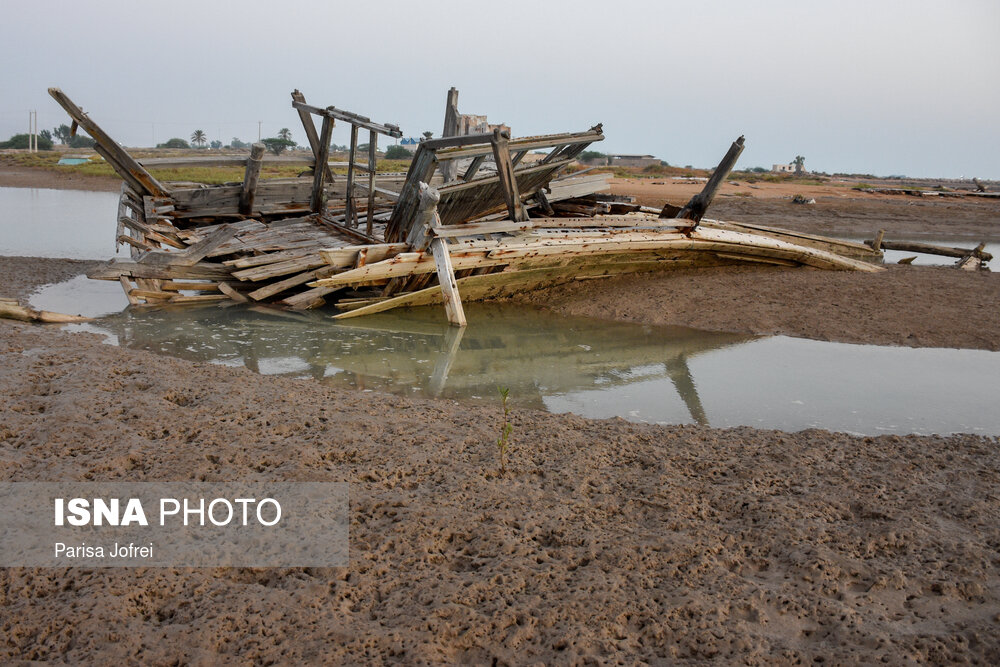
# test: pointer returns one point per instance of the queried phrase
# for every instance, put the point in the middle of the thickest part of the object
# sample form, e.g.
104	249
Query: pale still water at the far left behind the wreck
38	222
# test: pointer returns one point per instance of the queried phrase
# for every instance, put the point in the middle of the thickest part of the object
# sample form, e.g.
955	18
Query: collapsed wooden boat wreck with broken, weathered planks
472	219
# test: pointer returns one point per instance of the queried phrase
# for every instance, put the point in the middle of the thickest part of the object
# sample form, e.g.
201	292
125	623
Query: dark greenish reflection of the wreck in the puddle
532	352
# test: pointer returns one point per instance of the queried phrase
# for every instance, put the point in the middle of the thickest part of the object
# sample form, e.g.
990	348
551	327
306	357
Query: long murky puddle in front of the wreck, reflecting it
588	367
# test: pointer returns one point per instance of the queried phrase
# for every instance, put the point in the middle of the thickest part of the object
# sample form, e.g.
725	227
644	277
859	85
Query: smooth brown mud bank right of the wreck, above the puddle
915	306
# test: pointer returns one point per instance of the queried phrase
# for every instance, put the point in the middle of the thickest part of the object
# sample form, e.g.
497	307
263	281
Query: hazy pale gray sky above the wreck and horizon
869	87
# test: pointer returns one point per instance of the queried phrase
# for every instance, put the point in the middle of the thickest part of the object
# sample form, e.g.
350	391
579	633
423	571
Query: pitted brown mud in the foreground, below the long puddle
606	542
